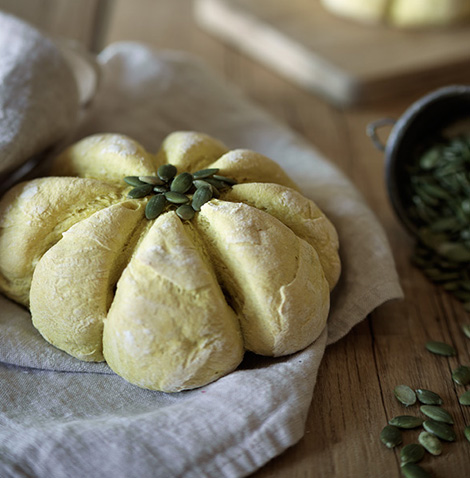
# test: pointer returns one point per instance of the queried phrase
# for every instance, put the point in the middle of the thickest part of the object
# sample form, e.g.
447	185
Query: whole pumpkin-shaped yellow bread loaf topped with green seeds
169	279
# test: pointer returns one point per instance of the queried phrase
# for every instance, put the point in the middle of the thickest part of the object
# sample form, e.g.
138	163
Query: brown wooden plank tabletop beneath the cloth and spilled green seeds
354	393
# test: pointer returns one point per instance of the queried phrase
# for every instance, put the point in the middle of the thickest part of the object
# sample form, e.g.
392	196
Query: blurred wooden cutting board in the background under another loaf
347	62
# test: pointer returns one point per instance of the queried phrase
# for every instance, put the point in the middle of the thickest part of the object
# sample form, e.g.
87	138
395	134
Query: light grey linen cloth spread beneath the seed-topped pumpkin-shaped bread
60	417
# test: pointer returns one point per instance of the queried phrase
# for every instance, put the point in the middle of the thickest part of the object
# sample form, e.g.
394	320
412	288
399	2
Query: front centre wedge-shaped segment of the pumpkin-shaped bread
169	327
